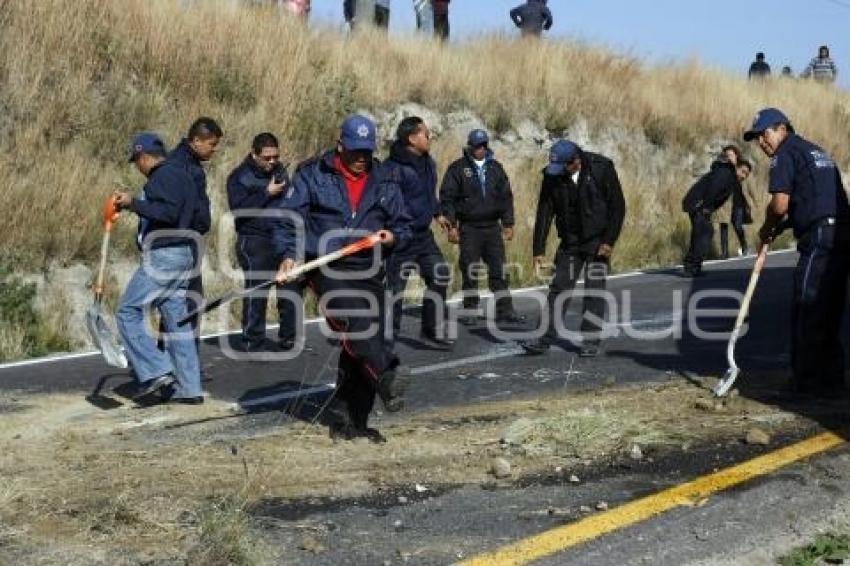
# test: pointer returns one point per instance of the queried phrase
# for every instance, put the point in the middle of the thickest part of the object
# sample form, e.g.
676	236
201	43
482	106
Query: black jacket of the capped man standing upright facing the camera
461	197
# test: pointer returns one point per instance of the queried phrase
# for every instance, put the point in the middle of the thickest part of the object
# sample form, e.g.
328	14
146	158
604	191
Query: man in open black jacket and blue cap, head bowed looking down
582	193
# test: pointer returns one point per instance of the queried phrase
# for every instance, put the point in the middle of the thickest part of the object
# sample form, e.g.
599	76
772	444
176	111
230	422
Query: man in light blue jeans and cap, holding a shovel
167	211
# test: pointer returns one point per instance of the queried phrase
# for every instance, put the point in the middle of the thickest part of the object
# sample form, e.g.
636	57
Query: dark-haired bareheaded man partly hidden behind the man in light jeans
199	146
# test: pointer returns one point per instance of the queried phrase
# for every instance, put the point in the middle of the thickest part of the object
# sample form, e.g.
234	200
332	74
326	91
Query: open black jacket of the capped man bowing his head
602	207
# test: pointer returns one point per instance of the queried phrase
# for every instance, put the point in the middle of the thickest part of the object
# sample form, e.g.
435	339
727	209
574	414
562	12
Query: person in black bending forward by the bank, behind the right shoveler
707	195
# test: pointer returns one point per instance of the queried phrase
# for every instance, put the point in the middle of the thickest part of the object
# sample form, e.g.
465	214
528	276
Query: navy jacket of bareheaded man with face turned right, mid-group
418	179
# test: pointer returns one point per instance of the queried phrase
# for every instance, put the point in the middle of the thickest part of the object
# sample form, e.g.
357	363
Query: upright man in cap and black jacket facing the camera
476	200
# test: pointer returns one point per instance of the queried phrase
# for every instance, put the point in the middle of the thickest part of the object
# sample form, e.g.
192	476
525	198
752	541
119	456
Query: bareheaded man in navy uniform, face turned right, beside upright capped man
411	164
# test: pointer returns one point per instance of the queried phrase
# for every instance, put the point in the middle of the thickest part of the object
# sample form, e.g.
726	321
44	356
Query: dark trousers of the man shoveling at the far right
820	292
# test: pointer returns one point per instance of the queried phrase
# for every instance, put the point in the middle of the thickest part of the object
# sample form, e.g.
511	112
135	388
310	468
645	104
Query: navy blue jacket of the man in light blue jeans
169	202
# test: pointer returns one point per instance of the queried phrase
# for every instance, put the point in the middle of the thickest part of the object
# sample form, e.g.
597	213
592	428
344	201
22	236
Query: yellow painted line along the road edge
686	494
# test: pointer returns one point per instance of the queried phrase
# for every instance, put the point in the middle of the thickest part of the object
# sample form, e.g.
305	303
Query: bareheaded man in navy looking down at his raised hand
255	192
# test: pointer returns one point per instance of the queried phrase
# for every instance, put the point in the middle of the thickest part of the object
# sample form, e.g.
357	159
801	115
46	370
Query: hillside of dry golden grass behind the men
78	78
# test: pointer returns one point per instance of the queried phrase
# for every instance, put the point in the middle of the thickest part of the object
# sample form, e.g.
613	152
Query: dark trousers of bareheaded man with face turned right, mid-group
421	253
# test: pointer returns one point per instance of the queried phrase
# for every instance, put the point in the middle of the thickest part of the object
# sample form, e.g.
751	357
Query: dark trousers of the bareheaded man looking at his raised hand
258	261
